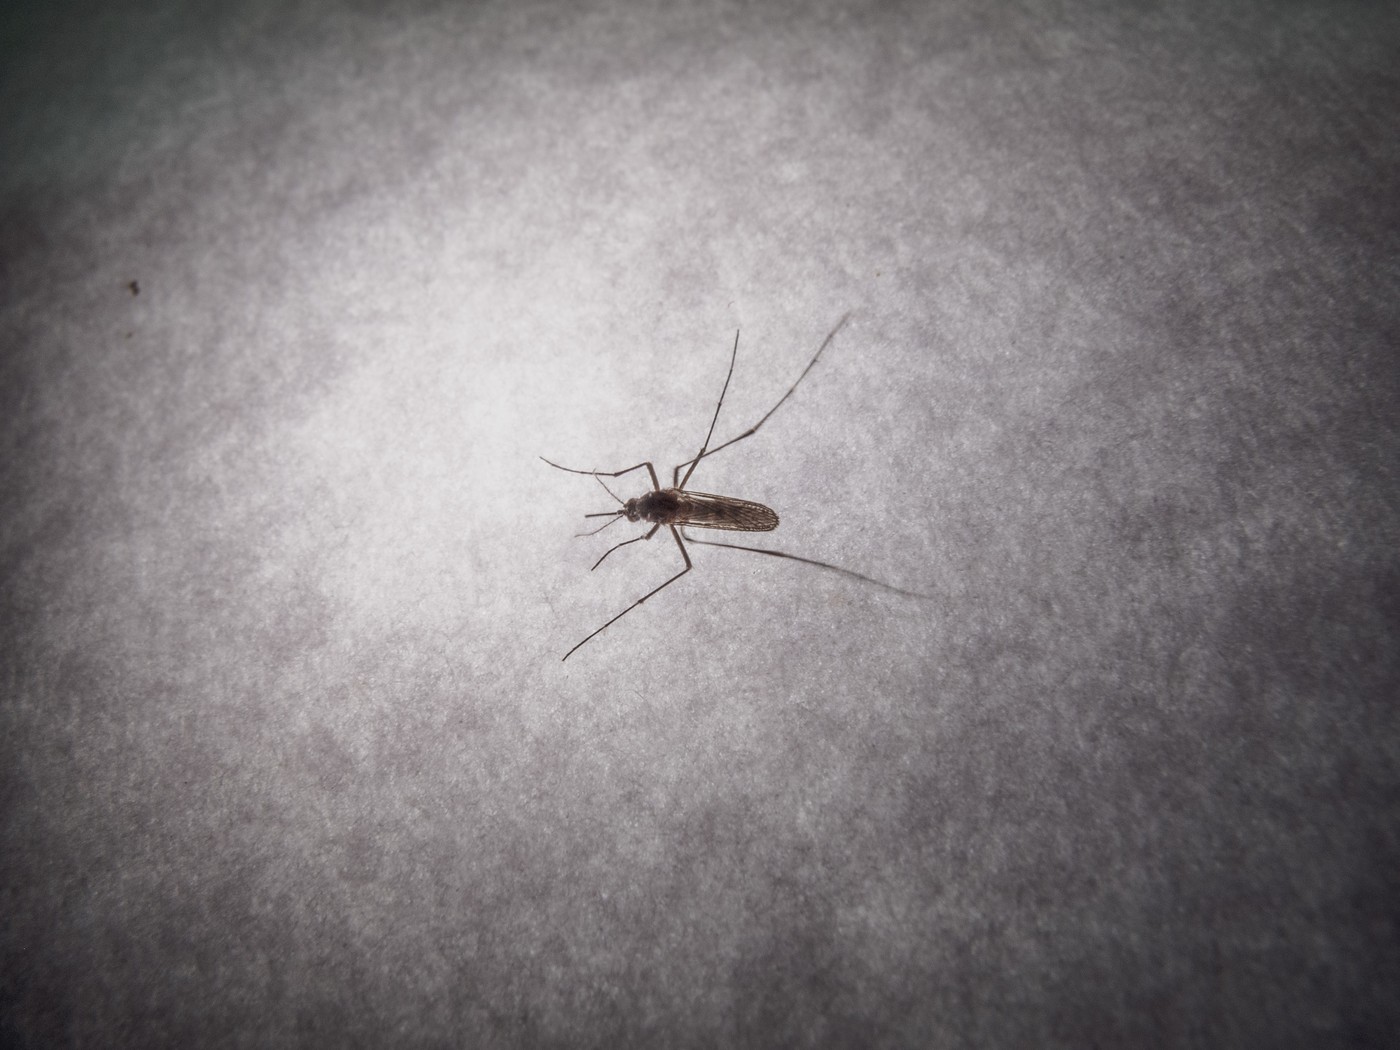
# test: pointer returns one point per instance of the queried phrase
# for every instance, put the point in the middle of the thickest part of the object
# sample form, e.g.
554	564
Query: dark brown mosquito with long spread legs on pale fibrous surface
680	507
